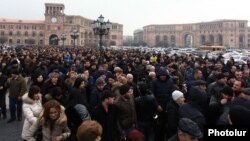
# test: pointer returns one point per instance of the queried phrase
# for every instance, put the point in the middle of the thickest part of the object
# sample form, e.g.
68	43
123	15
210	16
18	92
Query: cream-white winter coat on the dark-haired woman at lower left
31	110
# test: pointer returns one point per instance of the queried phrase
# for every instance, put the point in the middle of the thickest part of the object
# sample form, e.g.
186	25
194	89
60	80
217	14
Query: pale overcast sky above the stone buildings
134	14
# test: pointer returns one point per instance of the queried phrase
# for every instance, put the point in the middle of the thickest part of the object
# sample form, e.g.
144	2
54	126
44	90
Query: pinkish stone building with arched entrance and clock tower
55	26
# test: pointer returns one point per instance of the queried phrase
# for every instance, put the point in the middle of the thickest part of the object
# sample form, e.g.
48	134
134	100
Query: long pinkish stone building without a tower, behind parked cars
229	33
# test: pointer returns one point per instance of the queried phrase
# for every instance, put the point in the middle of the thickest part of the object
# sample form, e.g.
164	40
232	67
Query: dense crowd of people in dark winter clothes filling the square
73	94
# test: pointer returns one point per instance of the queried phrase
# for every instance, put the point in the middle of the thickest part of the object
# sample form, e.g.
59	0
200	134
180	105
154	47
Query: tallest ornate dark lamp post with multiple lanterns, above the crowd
101	28
